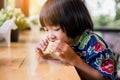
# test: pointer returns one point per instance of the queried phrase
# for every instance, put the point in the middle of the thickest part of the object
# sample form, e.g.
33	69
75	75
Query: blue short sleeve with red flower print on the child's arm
100	57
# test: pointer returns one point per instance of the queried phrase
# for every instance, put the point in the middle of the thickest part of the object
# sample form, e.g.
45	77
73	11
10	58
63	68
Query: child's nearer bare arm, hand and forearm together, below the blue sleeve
66	54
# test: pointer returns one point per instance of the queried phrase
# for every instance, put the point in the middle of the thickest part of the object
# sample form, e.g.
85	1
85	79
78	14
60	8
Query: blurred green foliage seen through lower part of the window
105	21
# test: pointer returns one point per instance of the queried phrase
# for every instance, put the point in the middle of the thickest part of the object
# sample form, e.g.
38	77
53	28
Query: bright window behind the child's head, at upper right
105	13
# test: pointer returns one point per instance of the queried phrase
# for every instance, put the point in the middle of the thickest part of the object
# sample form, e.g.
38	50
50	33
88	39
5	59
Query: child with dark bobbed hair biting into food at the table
68	25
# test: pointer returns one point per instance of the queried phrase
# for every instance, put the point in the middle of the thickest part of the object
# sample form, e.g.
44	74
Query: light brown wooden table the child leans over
19	62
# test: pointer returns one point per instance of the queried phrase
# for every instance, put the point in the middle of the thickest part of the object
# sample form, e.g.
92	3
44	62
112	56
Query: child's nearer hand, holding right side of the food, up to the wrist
65	52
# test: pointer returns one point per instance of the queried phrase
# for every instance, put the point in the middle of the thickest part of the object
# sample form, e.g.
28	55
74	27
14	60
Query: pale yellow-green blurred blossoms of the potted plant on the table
20	20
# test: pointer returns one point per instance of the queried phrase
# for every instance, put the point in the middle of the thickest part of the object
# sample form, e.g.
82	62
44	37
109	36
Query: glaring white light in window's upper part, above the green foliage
98	7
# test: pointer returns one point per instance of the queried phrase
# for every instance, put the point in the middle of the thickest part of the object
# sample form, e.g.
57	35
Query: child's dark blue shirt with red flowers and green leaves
95	52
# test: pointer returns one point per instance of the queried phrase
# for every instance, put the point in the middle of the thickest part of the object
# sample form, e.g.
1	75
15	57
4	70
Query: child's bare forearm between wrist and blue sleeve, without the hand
87	71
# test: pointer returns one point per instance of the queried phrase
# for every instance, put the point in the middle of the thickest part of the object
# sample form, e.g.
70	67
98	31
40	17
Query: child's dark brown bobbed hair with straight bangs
71	15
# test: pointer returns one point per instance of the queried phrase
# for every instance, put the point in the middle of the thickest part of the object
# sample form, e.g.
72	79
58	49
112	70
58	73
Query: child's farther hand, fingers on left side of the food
41	47
